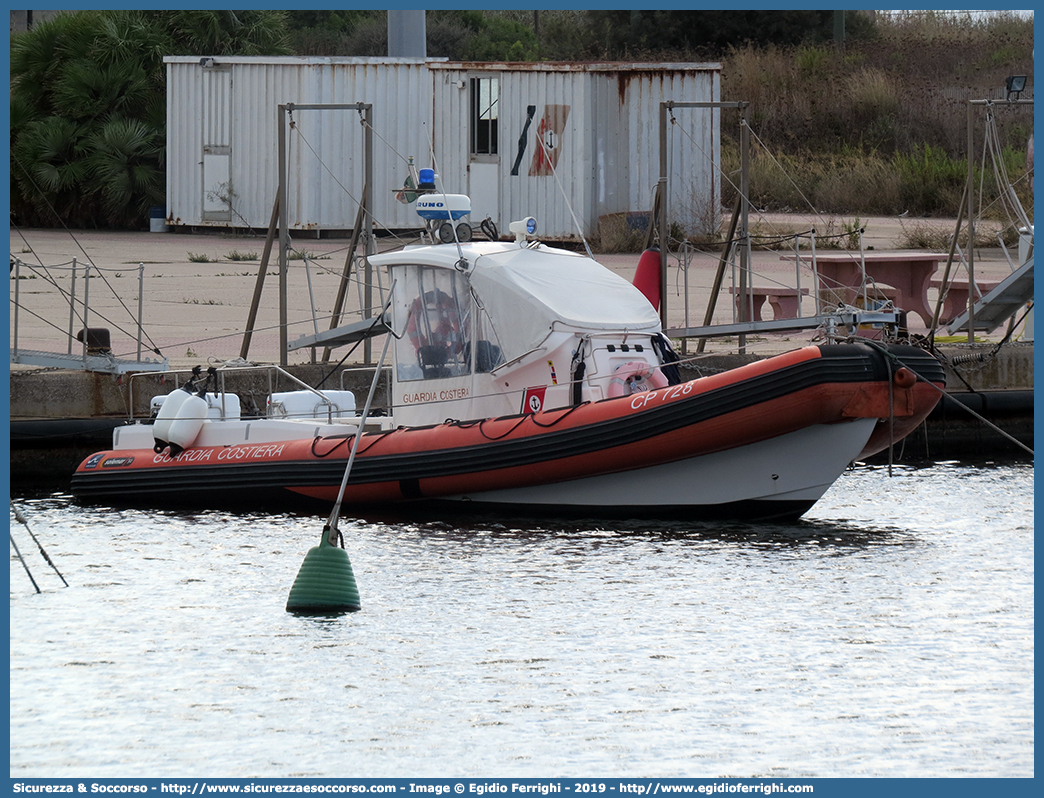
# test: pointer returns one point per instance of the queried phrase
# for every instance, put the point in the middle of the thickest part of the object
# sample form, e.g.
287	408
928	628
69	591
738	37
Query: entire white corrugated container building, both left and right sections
568	144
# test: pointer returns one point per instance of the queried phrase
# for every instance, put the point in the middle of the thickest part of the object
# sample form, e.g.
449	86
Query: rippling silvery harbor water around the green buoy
890	633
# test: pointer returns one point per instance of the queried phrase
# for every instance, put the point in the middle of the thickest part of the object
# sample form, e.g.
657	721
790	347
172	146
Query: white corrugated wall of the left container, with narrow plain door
223	130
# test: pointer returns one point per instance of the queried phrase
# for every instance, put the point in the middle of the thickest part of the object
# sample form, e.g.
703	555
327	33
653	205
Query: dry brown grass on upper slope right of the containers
904	88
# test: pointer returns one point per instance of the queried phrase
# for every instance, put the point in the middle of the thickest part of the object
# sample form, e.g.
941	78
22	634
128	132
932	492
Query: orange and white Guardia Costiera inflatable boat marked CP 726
532	380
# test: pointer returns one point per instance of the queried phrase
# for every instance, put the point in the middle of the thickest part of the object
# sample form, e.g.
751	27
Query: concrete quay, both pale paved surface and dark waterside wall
198	291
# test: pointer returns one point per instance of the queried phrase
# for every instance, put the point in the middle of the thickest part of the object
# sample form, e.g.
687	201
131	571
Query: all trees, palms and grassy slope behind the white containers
877	126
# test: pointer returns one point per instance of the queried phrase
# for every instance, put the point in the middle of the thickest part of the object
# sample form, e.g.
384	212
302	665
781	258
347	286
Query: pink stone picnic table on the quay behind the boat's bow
910	274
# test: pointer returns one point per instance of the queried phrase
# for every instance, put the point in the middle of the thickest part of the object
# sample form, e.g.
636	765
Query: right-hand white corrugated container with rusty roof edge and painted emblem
601	127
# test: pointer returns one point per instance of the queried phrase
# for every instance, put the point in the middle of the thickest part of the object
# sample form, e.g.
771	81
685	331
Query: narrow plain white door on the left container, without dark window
218	190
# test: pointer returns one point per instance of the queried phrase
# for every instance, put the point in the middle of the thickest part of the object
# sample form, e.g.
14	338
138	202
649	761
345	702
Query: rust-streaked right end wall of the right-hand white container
626	147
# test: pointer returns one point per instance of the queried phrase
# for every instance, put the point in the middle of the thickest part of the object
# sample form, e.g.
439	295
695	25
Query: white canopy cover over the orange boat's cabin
527	293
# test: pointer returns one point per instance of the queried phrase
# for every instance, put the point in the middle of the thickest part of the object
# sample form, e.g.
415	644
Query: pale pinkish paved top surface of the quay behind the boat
198	289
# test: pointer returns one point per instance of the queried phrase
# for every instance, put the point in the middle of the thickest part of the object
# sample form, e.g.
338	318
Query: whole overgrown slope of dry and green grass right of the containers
881	127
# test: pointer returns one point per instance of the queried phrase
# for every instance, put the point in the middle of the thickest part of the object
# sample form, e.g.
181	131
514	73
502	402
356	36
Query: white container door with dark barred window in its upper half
484	159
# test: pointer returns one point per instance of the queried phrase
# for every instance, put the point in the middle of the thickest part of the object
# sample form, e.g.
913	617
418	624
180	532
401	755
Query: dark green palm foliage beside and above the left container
88	107
